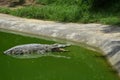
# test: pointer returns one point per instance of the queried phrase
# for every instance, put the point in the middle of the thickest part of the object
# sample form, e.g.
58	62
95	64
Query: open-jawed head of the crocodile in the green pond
59	47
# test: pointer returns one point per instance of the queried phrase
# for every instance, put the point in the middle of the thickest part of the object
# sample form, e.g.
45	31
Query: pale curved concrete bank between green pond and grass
105	37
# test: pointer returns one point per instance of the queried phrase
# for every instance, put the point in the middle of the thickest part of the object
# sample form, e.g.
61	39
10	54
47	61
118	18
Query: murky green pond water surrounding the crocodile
82	63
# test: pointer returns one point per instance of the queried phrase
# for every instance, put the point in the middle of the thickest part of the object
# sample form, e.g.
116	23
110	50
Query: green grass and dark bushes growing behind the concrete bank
81	11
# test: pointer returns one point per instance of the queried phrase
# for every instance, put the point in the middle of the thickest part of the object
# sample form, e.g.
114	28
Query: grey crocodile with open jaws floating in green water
36	48
